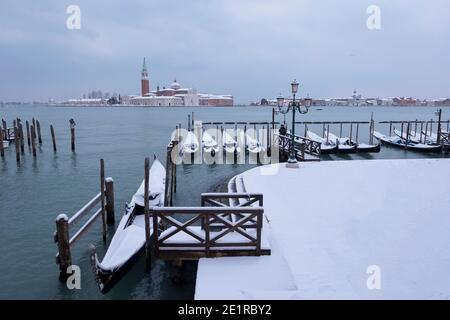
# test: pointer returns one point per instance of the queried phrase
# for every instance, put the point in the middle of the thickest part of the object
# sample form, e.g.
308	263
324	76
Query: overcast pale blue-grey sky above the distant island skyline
248	48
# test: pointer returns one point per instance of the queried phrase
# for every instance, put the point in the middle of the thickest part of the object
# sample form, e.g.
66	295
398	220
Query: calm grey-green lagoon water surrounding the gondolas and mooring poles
35	192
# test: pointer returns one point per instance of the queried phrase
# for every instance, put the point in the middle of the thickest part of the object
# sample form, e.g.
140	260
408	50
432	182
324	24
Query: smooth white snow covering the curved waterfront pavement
329	221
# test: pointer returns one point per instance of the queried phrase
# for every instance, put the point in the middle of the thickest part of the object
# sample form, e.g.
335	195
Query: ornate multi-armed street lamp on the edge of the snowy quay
293	105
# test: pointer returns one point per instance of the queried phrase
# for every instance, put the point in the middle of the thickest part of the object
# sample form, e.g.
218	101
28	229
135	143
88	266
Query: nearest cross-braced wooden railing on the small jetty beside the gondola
189	239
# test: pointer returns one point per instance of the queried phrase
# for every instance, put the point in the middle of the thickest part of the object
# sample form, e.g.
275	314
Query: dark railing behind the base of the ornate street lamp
302	145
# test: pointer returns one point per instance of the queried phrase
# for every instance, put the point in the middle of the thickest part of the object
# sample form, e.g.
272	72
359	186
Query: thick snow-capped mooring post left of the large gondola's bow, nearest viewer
64	258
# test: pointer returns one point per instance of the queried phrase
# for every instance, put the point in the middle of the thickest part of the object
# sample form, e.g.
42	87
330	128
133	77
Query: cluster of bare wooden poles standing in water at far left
33	137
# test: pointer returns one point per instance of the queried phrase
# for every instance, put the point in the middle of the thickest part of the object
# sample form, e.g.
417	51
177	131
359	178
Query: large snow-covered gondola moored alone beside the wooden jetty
129	239
